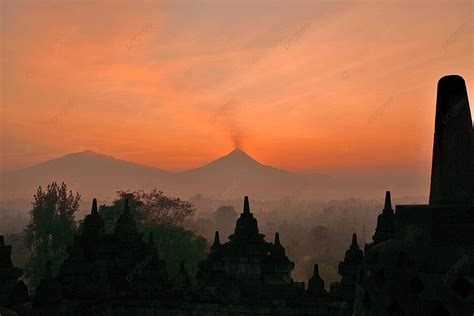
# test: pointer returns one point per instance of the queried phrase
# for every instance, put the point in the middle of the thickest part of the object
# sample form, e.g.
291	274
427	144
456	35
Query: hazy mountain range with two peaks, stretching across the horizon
231	176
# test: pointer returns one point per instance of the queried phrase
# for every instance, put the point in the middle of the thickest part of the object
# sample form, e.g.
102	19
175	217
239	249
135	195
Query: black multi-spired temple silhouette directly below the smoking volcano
248	267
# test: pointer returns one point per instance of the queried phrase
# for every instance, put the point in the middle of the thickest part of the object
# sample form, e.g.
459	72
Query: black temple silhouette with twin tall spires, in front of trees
114	273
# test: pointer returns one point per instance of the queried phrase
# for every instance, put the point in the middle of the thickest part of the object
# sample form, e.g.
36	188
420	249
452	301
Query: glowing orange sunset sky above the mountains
331	86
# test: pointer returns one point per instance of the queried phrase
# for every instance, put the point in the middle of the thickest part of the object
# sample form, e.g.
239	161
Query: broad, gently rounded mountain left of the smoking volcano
88	172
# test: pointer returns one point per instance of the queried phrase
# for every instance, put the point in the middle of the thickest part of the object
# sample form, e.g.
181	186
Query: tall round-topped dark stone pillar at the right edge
452	175
